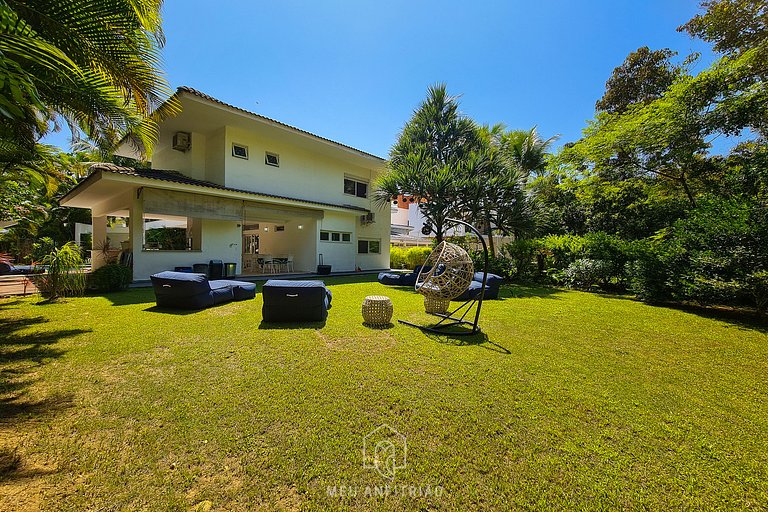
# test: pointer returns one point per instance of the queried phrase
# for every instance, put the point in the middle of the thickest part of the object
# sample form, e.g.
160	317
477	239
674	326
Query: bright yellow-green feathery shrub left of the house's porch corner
64	276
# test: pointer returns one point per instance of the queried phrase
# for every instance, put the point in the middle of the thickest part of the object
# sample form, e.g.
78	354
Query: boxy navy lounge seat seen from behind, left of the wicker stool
295	301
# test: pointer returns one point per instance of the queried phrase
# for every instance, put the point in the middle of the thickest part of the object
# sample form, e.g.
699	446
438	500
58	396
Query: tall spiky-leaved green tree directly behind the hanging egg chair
427	160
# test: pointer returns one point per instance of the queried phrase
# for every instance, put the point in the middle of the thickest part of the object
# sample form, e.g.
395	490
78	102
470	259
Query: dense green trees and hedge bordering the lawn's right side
639	203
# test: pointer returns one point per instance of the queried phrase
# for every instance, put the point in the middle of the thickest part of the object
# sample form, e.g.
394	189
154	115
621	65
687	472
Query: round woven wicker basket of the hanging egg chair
446	273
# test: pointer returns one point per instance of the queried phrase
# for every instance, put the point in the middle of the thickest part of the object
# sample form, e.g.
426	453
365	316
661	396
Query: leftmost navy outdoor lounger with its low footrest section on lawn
184	290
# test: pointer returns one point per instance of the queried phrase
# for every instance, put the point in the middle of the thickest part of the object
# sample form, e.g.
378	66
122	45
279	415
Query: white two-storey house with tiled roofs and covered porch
227	184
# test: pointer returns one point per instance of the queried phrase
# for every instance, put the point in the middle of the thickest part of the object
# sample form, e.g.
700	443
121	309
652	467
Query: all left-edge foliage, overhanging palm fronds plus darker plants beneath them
92	66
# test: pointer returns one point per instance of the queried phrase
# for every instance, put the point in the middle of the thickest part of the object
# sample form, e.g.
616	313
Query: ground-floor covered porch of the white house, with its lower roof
164	226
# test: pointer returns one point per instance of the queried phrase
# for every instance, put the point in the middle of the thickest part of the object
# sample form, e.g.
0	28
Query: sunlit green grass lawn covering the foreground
572	401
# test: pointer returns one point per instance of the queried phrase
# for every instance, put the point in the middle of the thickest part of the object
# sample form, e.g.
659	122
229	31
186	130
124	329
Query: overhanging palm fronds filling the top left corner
92	63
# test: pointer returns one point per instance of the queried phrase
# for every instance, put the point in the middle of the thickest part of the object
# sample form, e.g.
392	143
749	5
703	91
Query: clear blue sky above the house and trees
354	71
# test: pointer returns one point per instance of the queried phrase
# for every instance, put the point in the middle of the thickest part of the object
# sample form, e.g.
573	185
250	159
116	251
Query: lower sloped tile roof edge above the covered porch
177	177
